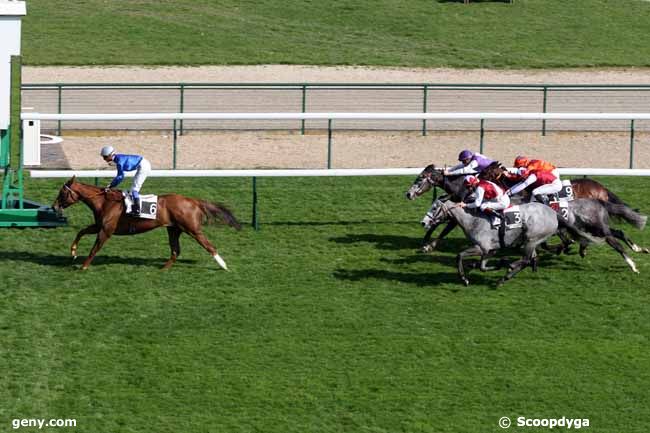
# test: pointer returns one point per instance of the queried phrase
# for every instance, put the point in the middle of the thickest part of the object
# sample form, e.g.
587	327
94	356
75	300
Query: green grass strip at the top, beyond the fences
421	33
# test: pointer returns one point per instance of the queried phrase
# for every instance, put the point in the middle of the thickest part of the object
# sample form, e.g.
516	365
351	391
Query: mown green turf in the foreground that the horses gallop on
329	321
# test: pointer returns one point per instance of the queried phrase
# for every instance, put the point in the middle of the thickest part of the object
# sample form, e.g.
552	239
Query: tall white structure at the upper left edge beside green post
11	12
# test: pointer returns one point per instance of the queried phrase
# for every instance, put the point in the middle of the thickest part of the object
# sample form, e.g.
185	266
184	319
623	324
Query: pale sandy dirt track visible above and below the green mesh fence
351	149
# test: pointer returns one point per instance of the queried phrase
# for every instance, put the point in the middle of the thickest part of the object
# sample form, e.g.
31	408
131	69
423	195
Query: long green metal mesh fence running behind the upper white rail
331	97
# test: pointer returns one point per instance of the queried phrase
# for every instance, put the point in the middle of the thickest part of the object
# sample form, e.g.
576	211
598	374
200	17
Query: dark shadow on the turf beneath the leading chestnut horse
63	260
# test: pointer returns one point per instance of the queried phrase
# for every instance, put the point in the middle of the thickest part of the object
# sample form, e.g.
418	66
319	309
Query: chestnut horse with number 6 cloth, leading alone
177	213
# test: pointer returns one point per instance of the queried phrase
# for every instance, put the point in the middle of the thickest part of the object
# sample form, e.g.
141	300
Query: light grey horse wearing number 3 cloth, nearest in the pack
539	222
